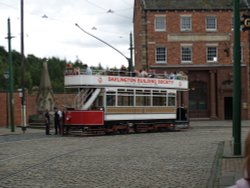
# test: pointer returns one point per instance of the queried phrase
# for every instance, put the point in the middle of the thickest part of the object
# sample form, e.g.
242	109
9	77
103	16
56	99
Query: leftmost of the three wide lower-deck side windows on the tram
125	98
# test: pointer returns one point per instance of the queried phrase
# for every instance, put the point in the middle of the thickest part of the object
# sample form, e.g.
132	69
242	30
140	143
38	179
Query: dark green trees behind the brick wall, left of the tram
33	68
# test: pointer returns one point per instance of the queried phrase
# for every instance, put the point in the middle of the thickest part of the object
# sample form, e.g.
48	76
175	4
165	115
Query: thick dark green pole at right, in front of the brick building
237	82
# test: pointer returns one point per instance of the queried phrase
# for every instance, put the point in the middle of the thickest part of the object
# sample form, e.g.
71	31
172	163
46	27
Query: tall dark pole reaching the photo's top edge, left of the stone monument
23	102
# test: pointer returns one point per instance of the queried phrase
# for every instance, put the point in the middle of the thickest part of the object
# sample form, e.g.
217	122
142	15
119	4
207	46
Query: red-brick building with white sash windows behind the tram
196	37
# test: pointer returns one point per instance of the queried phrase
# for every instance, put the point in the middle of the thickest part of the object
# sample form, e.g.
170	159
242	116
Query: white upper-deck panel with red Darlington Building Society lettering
97	81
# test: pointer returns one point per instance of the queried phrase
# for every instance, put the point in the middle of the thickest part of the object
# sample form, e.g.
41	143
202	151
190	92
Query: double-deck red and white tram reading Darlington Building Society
108	103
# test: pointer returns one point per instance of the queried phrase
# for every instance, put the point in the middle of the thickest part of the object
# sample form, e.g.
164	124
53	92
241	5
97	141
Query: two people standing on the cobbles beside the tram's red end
58	120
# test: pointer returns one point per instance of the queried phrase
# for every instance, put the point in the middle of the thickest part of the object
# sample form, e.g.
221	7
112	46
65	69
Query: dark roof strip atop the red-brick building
192	4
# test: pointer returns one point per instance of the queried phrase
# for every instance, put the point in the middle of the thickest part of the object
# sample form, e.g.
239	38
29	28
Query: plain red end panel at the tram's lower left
84	118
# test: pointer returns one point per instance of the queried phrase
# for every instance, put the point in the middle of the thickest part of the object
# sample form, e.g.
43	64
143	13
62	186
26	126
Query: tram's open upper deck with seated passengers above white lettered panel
73	79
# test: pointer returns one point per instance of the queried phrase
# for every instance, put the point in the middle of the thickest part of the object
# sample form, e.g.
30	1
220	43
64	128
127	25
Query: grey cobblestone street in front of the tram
169	159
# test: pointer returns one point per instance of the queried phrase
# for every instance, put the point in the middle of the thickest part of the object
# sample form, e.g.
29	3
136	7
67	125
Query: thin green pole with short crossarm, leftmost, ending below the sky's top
12	121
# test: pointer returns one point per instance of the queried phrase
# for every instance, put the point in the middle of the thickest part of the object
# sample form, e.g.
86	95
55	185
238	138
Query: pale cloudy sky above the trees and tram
49	29
